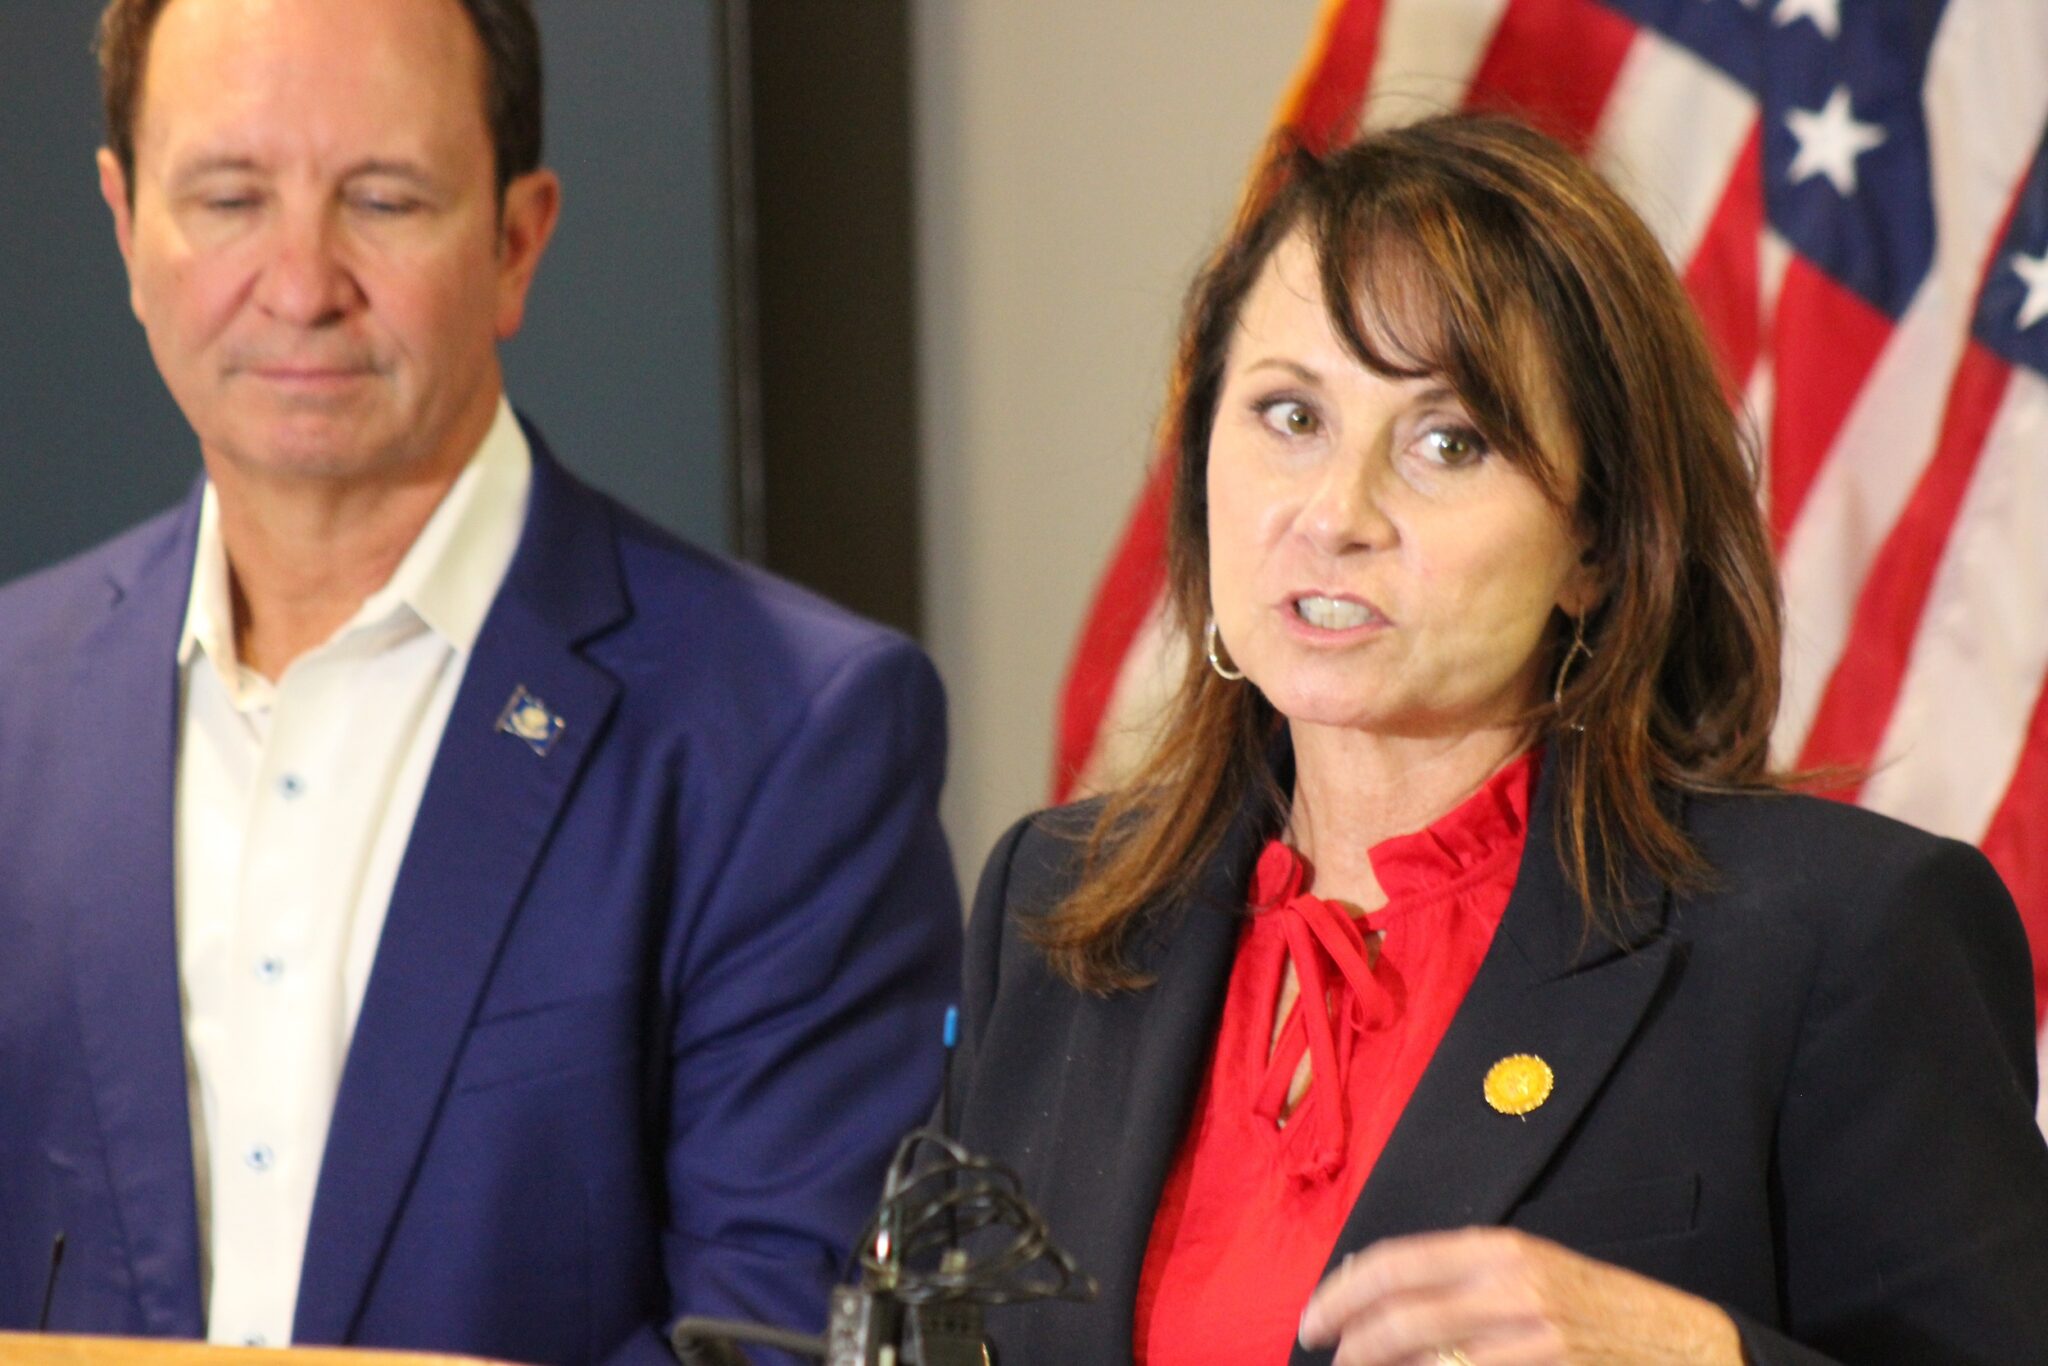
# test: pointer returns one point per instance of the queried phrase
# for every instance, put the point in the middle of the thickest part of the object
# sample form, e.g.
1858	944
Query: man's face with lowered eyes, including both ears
316	245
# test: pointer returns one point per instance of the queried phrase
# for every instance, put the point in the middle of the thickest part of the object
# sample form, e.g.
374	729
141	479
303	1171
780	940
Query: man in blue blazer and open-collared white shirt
439	910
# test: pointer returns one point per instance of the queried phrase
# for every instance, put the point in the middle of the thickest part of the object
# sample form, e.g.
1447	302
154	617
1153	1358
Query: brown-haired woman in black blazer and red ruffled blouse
1455	982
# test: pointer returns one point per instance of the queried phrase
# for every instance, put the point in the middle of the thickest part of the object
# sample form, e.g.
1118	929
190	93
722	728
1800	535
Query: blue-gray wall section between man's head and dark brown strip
624	355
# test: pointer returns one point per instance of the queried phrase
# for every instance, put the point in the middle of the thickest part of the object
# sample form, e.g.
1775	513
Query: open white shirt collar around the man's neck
445	583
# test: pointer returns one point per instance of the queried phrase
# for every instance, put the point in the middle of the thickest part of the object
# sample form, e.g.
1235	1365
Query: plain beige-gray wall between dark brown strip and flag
1076	161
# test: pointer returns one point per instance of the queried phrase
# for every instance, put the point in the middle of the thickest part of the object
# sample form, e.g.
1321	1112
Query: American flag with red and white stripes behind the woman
1857	194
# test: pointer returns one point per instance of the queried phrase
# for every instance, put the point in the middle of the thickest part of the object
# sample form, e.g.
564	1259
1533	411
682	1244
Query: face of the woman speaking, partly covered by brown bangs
1373	564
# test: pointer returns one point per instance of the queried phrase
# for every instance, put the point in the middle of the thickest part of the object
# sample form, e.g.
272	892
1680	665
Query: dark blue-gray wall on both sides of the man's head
622	364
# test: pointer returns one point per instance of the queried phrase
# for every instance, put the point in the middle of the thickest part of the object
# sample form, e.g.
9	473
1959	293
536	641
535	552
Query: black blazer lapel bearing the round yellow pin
1543	990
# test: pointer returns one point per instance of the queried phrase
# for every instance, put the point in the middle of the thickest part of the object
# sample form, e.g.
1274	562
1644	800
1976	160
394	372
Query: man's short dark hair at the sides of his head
511	79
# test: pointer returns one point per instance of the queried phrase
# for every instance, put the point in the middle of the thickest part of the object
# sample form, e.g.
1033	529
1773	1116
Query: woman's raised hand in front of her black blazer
1500	1295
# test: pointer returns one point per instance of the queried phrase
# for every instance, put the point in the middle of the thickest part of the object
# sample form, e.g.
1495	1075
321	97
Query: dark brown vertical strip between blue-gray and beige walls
833	339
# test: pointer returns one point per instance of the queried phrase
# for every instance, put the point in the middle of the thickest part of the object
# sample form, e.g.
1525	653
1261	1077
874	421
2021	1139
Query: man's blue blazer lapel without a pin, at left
122	718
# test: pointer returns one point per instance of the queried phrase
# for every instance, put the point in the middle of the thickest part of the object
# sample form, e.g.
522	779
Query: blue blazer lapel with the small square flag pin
486	816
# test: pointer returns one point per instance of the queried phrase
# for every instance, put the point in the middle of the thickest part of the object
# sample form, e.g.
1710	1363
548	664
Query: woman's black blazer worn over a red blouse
1805	1095
